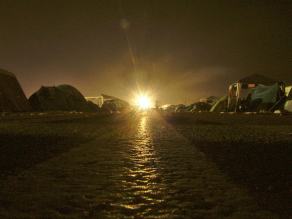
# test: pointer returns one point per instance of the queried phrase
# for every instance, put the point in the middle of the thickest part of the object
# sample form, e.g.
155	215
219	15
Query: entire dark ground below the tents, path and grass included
145	166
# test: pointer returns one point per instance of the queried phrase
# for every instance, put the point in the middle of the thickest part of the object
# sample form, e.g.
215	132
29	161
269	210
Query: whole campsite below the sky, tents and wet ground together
57	127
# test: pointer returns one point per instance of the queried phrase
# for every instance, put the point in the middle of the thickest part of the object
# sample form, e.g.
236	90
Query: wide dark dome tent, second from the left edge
60	98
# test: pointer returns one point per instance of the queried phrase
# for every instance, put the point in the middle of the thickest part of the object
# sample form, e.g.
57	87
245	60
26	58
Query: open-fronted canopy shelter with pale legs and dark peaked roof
240	92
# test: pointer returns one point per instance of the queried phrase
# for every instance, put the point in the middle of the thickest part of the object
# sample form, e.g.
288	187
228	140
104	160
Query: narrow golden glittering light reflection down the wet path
141	181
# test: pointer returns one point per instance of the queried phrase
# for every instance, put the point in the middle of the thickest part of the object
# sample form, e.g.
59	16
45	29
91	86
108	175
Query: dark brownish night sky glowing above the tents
183	49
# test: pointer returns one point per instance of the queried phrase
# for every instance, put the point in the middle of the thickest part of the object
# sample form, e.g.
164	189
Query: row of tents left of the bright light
55	98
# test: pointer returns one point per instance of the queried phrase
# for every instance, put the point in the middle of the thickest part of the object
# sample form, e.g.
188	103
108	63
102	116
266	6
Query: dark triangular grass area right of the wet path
253	150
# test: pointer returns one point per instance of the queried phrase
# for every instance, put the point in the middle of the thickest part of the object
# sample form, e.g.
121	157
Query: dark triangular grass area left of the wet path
28	139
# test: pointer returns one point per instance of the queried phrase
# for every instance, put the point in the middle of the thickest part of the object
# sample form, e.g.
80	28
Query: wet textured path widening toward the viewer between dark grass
138	168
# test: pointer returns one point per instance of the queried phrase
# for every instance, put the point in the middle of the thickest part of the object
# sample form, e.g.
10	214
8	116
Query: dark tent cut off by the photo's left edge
12	97
